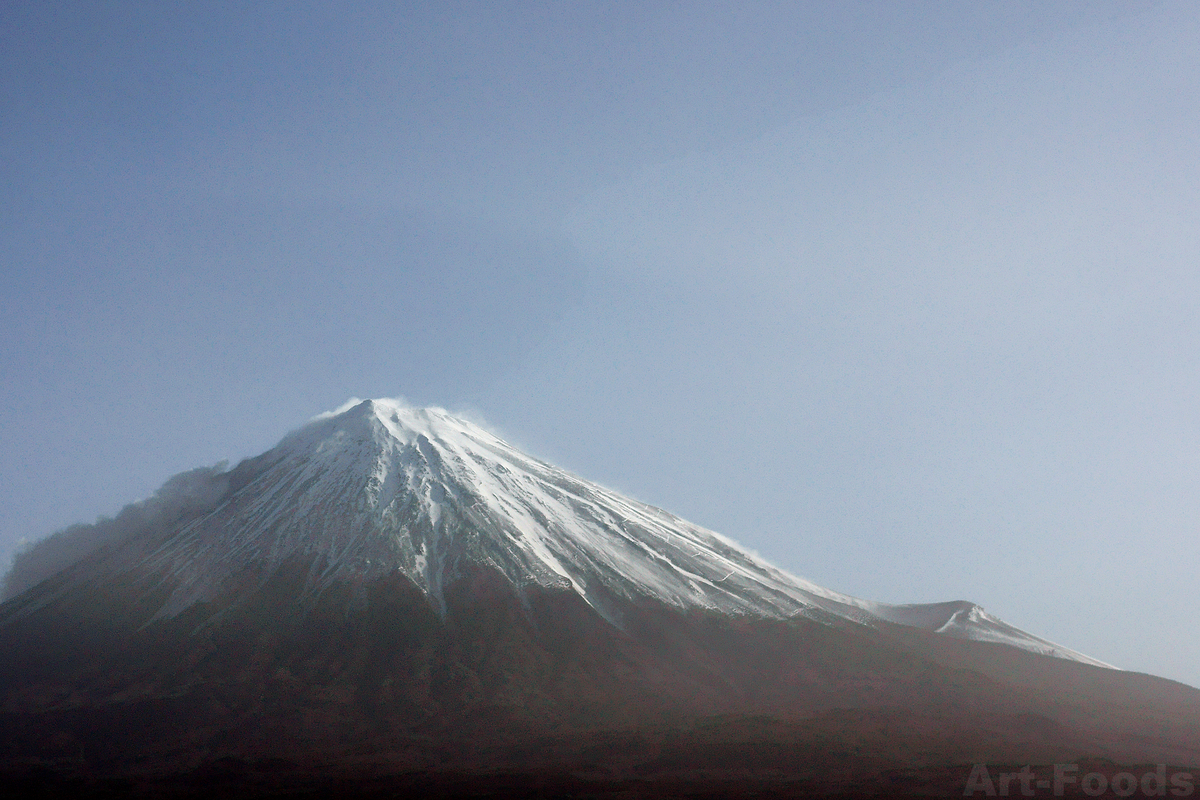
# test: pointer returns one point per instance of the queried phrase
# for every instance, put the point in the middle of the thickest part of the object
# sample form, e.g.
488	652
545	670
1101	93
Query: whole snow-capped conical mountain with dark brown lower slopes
393	594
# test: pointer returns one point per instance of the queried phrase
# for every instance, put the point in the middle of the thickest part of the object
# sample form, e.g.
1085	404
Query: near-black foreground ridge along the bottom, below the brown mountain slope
275	779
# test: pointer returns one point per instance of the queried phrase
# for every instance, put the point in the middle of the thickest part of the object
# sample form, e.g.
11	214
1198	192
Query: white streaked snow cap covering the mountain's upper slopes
382	488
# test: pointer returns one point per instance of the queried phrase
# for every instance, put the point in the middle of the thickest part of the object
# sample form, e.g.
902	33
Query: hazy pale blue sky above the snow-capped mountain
901	296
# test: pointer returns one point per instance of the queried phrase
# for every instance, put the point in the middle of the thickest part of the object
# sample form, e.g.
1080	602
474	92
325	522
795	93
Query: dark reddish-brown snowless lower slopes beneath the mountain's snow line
368	691
